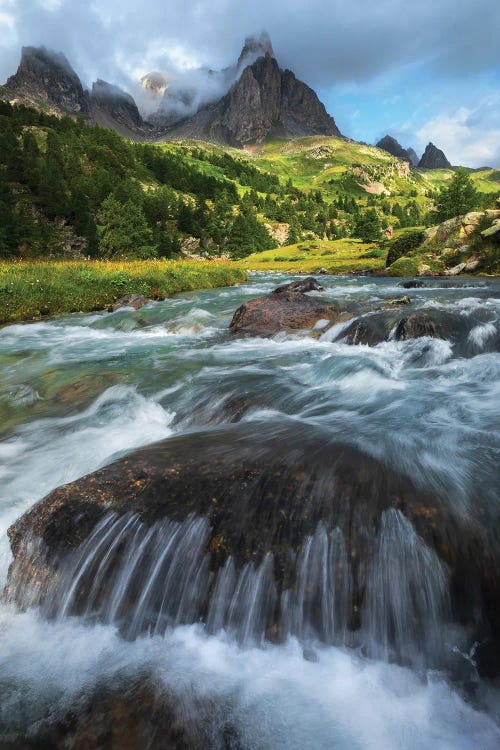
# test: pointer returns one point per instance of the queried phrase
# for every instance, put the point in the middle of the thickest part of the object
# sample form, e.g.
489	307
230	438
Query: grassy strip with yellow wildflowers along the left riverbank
32	289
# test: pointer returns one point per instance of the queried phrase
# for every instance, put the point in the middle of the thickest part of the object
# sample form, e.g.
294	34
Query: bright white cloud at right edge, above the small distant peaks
470	137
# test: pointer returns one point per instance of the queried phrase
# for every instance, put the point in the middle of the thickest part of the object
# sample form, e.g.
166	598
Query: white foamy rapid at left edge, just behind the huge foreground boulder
60	450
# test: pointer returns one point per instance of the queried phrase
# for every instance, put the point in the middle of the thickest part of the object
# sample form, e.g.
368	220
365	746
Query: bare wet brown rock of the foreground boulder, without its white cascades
260	491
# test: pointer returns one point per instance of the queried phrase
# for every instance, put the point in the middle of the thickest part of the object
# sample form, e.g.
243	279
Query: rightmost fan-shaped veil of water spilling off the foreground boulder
406	603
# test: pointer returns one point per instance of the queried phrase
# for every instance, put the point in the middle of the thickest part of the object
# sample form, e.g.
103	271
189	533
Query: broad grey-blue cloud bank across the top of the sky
325	42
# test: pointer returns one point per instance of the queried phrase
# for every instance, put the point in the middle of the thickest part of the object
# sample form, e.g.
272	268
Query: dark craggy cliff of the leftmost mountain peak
47	77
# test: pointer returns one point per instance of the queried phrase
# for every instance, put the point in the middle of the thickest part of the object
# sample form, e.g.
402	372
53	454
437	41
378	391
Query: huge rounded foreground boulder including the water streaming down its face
265	530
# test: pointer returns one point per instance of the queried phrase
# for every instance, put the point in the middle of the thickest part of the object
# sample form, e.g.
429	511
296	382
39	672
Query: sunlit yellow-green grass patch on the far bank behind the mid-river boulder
336	256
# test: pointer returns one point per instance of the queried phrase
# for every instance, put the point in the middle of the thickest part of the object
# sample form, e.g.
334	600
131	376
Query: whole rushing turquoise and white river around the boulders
78	391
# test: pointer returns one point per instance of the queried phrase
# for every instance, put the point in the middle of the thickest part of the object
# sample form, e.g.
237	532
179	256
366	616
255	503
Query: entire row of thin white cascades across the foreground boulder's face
146	579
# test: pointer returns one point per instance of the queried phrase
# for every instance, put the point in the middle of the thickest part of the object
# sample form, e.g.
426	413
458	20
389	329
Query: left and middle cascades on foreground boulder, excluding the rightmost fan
145	579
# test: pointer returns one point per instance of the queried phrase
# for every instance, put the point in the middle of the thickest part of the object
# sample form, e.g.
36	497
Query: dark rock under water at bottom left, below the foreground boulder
135	713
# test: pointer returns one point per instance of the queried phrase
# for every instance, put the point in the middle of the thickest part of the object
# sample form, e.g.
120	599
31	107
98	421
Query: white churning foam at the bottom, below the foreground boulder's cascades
273	696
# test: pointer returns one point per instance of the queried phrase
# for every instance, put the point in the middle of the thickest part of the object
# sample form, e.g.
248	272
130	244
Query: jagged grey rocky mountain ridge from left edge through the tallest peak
263	100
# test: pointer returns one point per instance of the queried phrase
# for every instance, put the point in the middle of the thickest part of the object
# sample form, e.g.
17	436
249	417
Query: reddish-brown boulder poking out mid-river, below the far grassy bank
287	308
